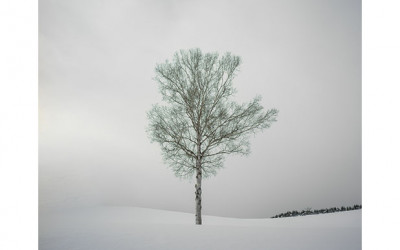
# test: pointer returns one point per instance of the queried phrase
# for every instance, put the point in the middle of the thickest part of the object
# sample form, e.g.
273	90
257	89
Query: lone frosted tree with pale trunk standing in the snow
199	124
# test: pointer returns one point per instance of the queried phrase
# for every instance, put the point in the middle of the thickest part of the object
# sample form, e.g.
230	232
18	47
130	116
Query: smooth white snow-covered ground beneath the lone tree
114	228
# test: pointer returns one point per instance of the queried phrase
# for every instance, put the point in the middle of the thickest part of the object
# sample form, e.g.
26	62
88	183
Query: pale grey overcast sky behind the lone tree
96	64
